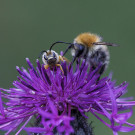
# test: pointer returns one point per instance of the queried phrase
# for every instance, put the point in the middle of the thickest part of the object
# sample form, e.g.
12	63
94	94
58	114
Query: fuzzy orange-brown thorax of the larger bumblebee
87	39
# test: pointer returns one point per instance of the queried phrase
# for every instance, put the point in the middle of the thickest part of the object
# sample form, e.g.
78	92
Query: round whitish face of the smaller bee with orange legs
50	58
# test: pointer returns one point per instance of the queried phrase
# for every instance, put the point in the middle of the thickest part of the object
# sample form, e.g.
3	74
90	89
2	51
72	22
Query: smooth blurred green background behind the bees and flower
30	26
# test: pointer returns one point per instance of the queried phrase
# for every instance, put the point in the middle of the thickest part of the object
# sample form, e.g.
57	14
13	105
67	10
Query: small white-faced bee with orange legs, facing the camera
51	59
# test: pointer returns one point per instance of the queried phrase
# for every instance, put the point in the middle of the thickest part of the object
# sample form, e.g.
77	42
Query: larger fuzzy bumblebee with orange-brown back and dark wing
90	47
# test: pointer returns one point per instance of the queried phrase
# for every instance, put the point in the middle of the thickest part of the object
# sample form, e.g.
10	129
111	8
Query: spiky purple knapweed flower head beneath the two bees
51	95
